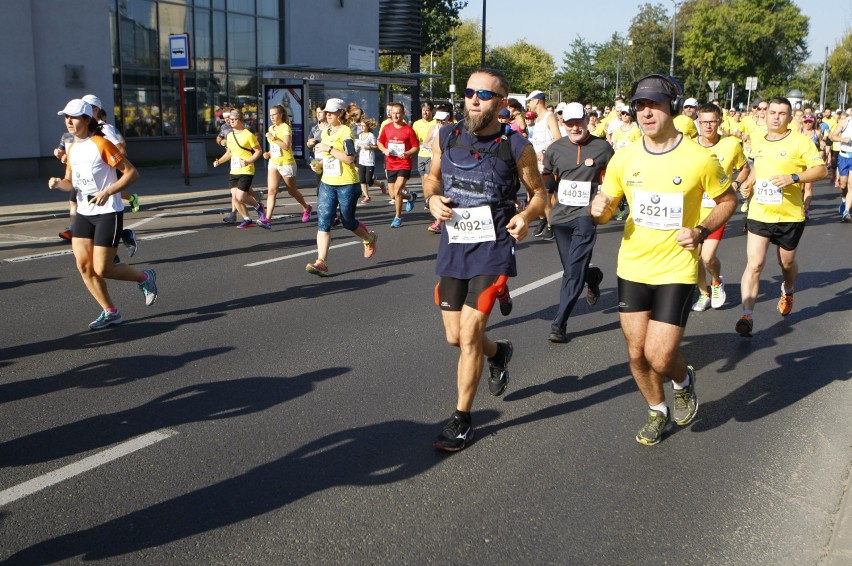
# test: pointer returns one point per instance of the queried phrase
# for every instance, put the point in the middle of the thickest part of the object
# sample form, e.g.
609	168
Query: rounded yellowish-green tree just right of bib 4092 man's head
526	66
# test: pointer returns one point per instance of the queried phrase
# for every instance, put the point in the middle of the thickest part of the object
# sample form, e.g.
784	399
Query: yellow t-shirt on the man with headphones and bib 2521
661	187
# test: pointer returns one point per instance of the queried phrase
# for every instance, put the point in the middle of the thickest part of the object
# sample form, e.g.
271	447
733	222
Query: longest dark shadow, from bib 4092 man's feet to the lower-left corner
376	454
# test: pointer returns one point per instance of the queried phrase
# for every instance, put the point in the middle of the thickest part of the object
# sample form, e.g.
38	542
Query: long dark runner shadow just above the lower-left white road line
201	402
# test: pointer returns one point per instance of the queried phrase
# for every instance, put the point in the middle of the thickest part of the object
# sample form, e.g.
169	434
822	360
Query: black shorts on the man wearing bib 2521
667	303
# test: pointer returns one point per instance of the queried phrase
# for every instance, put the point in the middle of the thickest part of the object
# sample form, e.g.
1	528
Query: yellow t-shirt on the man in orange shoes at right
793	153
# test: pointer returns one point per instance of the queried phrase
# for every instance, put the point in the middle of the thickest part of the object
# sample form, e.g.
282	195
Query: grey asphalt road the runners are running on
256	414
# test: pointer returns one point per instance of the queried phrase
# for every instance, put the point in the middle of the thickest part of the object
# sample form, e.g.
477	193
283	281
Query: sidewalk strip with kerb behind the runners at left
29	199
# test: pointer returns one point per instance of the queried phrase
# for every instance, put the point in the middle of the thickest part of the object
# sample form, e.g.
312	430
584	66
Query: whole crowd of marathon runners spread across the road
671	169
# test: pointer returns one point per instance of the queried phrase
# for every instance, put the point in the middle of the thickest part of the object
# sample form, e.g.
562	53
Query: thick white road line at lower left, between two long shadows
66	472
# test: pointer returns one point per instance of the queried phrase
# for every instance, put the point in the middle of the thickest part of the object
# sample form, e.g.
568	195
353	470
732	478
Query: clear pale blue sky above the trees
506	21
